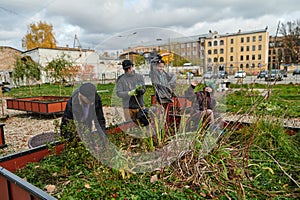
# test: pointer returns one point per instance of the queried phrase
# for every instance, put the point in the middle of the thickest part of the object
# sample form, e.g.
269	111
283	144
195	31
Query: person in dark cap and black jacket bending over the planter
84	106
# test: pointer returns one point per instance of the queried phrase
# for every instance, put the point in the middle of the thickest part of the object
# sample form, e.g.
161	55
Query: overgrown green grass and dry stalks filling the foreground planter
257	162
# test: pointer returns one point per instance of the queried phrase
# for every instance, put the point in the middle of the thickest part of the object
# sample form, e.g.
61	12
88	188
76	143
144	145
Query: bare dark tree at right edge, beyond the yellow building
291	40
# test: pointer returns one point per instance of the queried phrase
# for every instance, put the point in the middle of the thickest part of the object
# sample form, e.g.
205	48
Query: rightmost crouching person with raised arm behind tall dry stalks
203	106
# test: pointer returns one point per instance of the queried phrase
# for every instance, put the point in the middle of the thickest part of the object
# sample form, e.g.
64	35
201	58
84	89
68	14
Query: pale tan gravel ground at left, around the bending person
20	126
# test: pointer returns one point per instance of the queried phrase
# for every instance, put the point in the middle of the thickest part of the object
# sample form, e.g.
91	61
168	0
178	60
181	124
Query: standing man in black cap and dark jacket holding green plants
130	87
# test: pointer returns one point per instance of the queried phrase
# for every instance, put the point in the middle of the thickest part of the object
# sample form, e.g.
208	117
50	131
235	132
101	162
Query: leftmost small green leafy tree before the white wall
26	71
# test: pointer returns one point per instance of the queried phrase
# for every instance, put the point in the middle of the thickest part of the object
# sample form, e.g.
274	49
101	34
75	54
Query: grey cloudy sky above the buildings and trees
102	24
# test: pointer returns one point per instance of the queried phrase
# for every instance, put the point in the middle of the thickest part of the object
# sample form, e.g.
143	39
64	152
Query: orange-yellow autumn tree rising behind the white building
39	35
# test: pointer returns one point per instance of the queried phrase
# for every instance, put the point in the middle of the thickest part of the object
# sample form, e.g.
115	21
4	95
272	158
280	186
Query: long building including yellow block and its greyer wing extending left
246	51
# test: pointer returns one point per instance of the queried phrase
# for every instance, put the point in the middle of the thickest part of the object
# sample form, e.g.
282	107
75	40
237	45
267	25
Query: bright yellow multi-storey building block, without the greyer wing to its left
246	51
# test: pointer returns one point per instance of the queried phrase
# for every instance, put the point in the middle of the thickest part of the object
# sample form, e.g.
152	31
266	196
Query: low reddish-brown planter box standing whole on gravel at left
40	104
